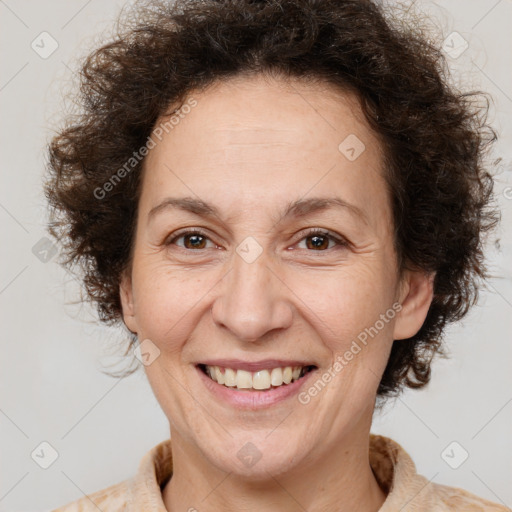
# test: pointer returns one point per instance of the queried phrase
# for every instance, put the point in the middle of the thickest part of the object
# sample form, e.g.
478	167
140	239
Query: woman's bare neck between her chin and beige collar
340	479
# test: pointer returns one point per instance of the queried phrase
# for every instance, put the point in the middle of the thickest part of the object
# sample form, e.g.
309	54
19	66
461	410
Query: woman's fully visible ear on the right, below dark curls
416	294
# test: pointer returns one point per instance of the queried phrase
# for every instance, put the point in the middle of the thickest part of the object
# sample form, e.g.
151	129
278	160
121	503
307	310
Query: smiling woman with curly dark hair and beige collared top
284	203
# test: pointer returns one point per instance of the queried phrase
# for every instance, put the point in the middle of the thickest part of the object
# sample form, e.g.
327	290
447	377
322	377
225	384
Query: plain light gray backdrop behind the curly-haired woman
52	351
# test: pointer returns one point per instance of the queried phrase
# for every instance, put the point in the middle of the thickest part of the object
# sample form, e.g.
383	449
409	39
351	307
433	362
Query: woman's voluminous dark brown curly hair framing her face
434	138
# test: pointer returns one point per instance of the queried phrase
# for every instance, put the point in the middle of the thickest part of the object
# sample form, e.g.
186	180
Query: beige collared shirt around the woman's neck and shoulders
394	469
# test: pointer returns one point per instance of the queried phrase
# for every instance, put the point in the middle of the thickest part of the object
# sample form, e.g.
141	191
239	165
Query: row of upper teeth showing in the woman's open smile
243	380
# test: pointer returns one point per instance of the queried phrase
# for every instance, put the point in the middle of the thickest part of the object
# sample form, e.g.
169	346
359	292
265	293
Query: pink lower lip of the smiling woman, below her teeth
253	399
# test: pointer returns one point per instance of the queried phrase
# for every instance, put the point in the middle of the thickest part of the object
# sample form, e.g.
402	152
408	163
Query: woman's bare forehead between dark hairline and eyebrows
251	141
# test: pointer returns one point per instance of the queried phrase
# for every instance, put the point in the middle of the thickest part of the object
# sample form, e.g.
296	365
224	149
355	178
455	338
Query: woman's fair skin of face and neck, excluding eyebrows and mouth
250	146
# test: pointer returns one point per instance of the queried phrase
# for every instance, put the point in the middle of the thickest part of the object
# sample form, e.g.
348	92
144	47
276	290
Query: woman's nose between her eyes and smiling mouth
252	300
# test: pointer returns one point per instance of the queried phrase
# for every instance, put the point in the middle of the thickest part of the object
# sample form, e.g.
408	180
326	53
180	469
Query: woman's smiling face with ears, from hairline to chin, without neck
254	290
